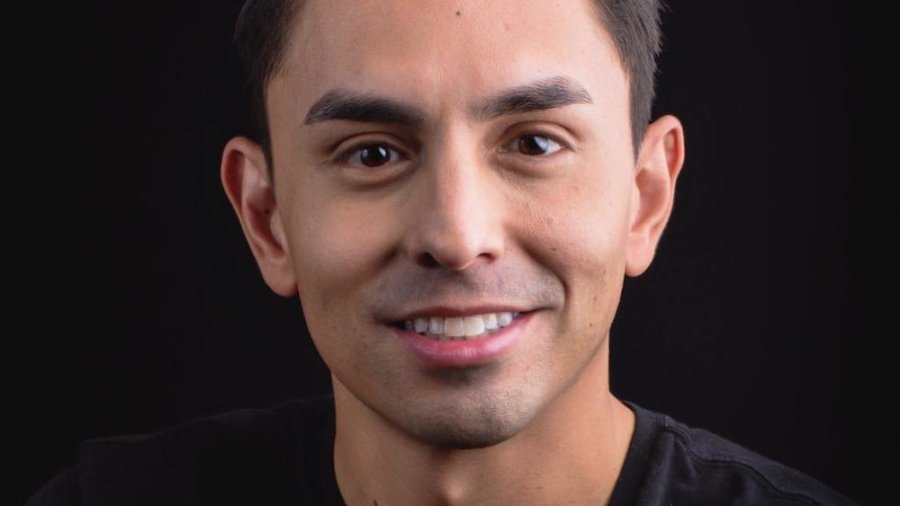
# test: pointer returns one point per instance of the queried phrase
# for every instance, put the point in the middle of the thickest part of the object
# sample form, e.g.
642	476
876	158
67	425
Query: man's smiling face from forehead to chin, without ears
483	165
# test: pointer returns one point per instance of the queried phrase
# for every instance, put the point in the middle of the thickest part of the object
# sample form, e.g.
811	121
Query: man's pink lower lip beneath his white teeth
477	351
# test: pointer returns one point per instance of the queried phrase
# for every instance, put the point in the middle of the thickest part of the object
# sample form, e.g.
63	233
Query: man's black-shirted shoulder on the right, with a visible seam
688	465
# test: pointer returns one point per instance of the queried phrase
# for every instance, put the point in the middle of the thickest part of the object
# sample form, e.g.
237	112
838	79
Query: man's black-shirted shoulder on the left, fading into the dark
240	456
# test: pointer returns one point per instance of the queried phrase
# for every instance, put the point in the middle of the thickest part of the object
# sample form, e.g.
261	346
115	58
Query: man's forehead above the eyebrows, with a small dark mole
436	52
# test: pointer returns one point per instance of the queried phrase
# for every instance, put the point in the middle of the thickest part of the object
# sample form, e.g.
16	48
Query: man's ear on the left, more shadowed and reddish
246	183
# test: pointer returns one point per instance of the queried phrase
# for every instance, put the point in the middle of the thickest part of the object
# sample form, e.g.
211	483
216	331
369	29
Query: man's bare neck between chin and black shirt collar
572	453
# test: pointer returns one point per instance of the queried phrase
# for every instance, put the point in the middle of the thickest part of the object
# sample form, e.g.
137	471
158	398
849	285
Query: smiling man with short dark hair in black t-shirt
456	191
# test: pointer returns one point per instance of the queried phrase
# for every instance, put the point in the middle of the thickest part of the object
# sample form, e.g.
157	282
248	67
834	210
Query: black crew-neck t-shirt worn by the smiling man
283	455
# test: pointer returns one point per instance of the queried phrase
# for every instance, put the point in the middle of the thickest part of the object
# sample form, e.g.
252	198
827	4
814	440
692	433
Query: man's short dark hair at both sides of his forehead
264	26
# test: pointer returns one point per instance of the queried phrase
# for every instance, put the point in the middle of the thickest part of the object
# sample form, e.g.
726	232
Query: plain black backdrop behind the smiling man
156	312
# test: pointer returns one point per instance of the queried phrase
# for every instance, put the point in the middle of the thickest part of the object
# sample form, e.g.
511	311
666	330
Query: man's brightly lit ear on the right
658	165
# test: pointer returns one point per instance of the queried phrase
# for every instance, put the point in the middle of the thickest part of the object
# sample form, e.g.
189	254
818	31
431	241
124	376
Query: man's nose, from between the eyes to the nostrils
456	222
